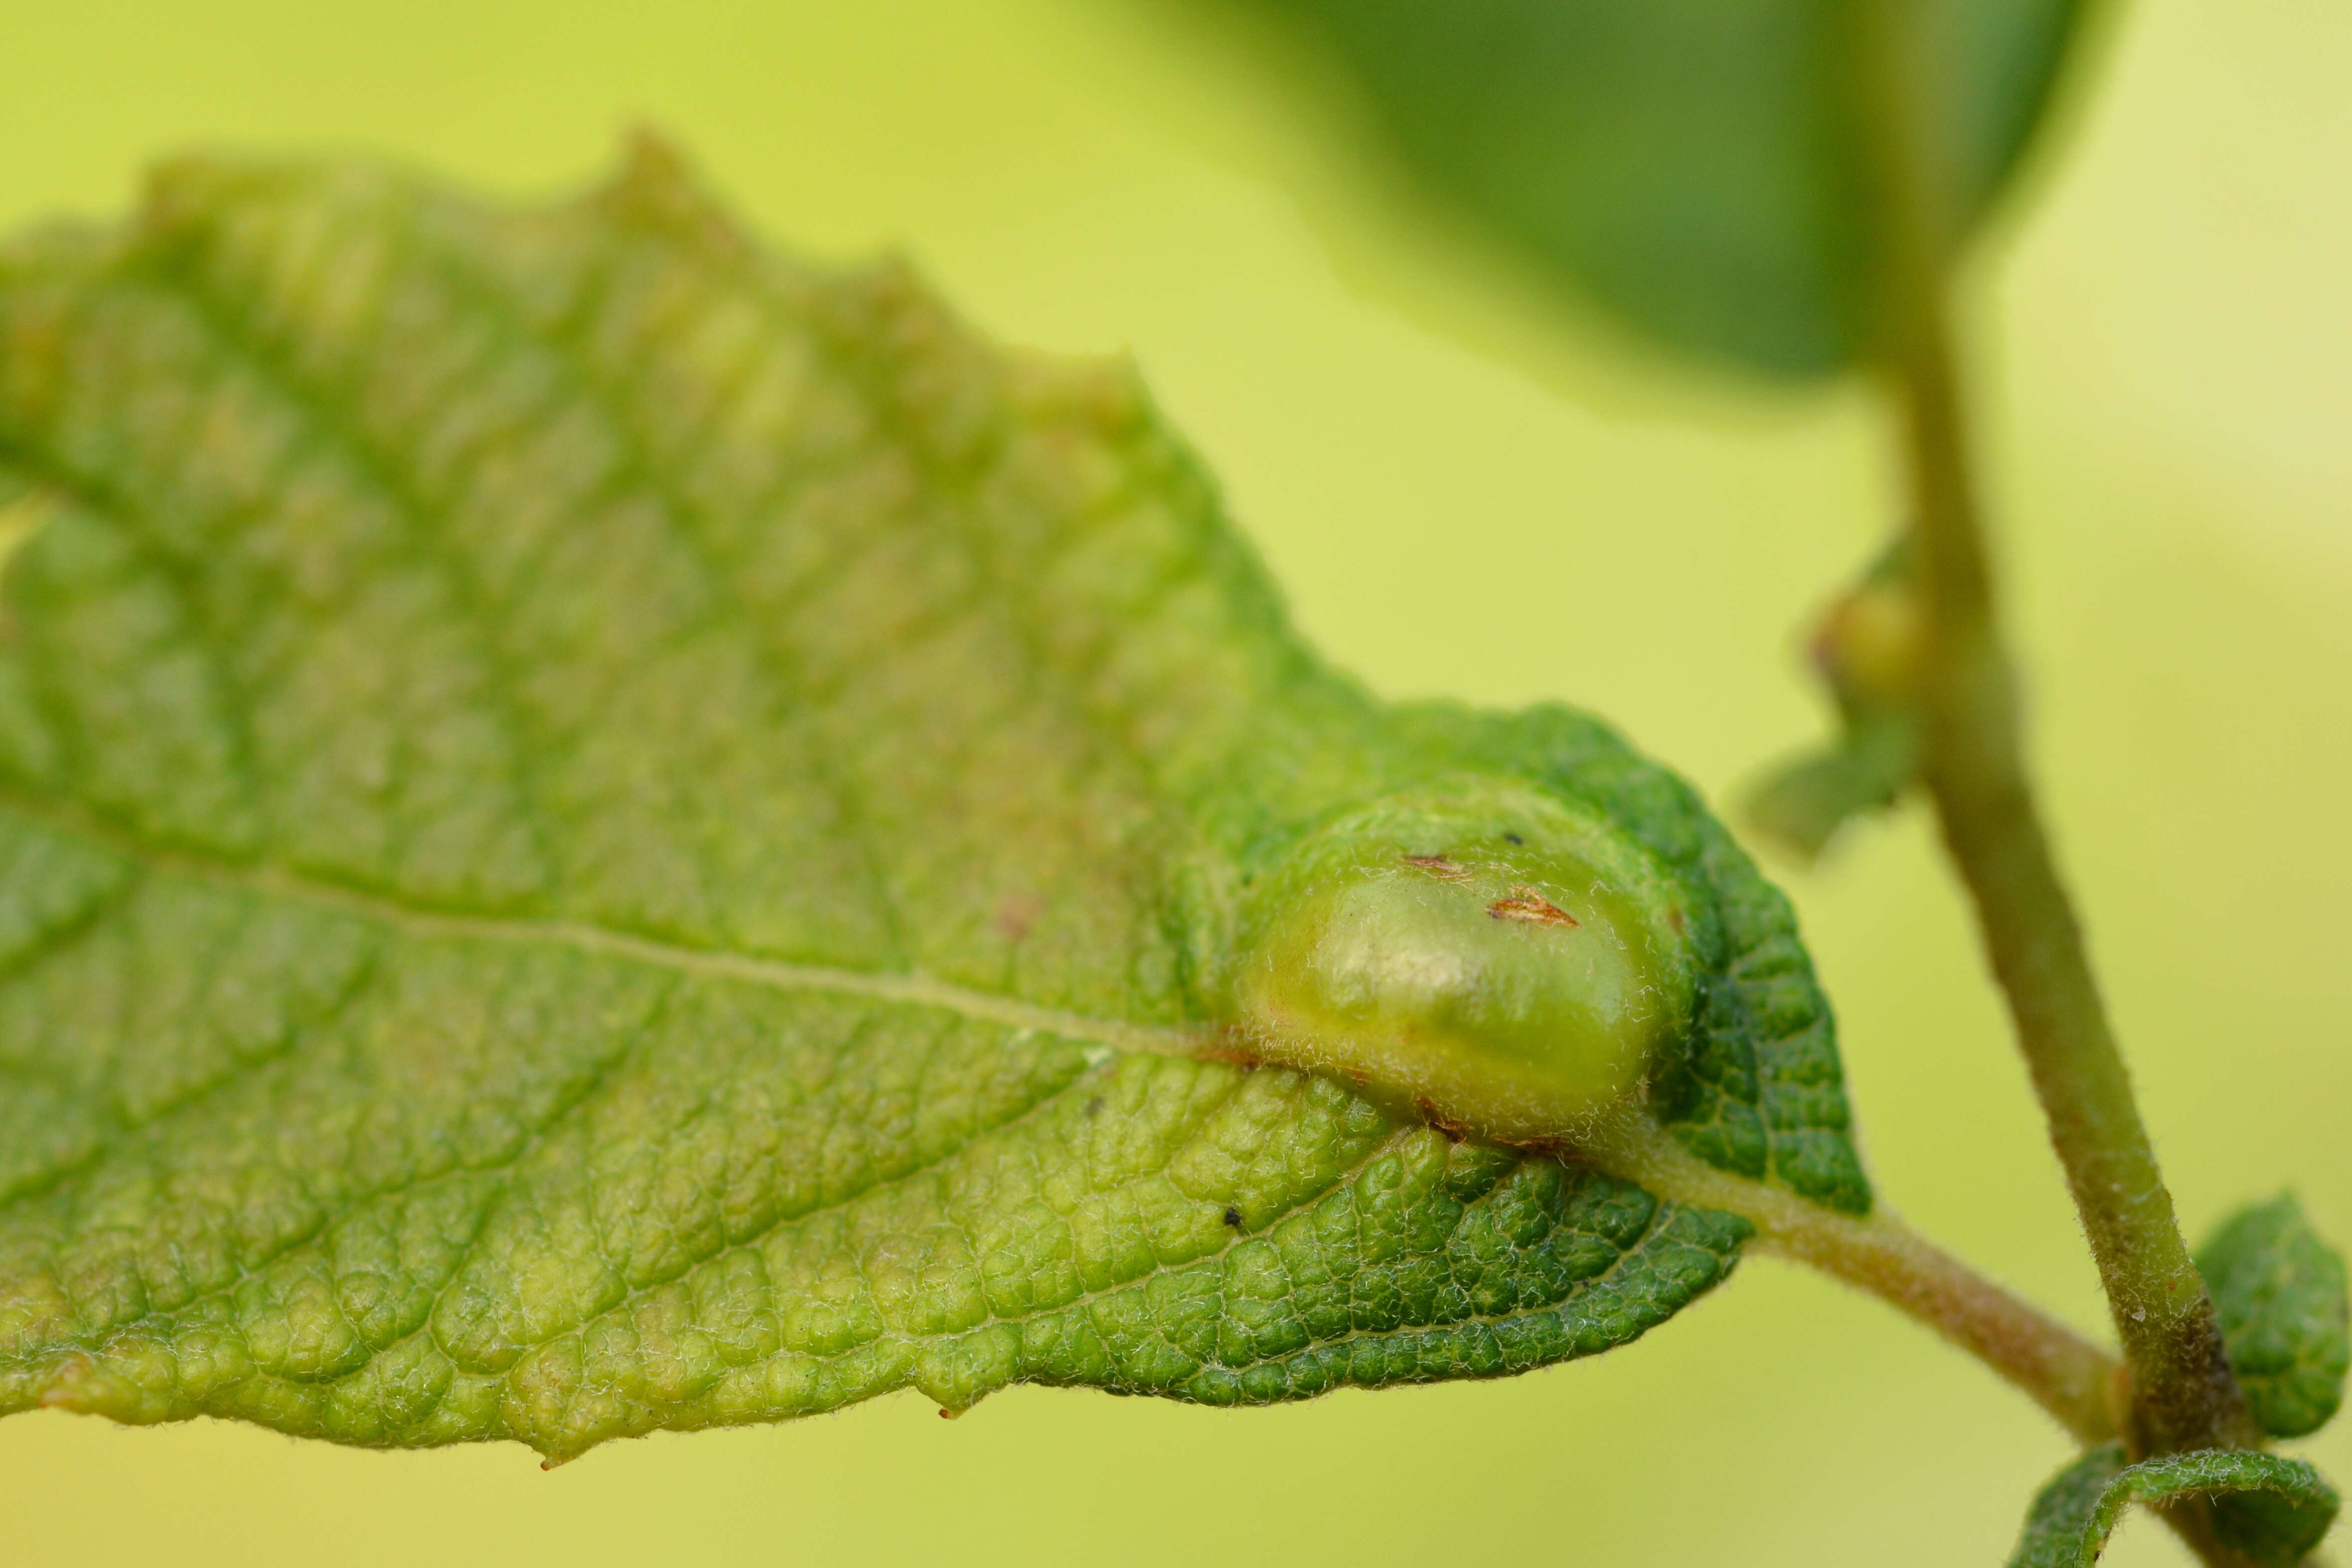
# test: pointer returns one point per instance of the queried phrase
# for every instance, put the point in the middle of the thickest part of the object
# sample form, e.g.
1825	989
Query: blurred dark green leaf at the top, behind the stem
1697	166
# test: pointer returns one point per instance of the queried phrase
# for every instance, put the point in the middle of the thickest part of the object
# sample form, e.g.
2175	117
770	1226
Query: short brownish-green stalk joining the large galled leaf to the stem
2059	1369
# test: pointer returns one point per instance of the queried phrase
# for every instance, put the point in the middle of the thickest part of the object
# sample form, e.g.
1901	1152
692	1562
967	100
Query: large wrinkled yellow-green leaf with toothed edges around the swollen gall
601	831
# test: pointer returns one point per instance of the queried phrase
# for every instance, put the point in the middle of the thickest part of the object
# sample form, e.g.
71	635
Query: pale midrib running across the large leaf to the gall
909	989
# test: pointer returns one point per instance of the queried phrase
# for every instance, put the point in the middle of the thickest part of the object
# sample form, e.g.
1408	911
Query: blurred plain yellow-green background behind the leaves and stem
1466	492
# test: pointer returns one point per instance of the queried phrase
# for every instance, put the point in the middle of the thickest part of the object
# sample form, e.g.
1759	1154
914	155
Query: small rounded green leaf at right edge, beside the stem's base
2280	1296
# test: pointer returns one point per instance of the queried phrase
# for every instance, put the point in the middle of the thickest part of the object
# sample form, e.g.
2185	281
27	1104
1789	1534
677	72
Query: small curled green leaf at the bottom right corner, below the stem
2271	1508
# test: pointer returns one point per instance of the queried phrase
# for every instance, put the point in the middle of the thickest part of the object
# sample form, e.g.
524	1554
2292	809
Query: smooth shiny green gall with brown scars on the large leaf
1488	953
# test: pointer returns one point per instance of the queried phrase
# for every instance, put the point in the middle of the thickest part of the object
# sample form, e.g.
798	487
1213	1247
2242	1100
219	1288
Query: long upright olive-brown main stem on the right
1972	765
